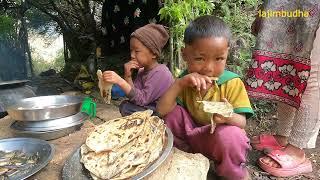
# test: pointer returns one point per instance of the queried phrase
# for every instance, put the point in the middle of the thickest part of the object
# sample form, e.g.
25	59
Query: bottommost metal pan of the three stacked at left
48	135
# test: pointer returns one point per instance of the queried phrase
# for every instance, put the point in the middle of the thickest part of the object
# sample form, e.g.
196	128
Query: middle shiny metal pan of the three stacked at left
49	125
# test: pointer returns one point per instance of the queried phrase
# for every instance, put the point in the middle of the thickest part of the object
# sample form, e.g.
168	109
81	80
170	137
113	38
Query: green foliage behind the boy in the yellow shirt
238	14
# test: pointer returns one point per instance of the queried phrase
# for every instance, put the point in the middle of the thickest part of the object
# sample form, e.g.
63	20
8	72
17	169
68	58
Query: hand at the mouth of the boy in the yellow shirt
195	80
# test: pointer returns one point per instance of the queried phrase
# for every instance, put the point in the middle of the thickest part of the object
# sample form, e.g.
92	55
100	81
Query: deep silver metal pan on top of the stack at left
45	108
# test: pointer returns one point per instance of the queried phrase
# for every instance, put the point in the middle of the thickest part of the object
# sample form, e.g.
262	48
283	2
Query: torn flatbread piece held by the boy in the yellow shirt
223	108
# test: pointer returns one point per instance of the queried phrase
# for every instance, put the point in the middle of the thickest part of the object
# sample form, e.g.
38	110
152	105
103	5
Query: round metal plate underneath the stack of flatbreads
74	170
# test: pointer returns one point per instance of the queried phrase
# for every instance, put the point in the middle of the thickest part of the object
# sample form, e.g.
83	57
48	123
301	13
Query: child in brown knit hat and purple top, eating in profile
152	80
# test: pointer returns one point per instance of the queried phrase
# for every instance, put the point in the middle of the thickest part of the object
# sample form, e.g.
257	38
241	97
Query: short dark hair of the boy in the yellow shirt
206	26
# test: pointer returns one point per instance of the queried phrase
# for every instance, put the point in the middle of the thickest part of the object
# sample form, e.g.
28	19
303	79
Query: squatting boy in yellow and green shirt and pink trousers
207	41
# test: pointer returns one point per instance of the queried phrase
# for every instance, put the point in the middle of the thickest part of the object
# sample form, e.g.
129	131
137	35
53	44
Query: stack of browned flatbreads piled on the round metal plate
123	147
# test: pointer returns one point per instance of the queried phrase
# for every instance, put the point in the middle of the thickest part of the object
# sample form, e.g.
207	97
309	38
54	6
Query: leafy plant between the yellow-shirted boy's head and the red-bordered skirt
239	15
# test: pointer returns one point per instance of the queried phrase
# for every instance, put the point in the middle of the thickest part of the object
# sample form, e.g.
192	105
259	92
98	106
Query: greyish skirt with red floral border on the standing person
280	64
